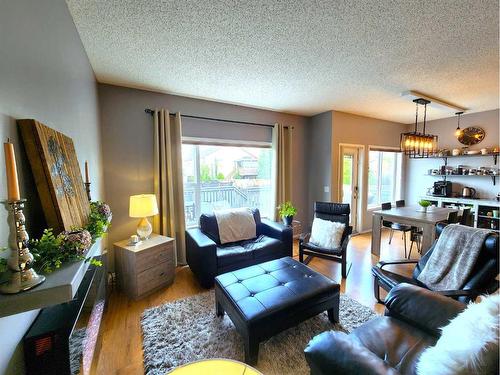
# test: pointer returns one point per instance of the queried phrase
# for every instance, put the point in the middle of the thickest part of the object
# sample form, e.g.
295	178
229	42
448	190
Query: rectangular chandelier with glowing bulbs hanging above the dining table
415	144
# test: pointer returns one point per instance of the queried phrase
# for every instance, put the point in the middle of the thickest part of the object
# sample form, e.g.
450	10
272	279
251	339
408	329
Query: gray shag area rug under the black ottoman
188	330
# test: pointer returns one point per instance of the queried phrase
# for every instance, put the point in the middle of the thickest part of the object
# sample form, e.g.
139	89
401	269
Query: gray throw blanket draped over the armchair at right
453	258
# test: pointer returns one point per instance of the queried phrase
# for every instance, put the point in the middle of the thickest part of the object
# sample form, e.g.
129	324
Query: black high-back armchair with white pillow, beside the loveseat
338	212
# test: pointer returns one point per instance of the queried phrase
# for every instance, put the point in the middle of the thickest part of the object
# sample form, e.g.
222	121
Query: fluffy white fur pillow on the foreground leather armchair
468	345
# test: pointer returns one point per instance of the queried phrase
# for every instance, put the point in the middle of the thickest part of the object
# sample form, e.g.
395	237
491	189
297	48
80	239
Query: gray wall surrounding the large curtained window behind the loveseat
127	134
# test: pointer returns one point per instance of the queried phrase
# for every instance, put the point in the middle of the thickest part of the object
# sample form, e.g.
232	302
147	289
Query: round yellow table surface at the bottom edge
215	367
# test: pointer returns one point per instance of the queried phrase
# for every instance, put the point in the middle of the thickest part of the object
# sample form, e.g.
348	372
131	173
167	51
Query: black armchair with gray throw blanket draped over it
482	279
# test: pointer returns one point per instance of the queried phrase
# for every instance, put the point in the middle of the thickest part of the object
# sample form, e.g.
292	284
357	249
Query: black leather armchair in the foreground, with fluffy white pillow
389	344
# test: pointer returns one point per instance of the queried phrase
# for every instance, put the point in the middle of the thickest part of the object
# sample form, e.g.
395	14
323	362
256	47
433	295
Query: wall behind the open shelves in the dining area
416	181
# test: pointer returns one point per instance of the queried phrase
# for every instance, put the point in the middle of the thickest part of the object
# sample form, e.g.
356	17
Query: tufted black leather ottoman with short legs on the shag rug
267	298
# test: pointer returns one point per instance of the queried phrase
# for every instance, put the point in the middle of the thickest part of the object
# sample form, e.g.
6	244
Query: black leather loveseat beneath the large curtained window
207	258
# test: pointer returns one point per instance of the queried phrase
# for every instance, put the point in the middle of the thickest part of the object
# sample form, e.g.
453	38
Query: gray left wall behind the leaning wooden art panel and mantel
44	74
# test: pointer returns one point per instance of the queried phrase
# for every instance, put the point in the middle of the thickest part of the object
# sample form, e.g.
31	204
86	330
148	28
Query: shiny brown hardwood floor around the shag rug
121	351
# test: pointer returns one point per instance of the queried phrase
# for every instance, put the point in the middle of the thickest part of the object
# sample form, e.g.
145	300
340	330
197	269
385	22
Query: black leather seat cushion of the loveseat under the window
261	247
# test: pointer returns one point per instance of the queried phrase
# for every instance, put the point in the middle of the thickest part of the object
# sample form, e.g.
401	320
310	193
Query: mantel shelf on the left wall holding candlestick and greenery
60	286
